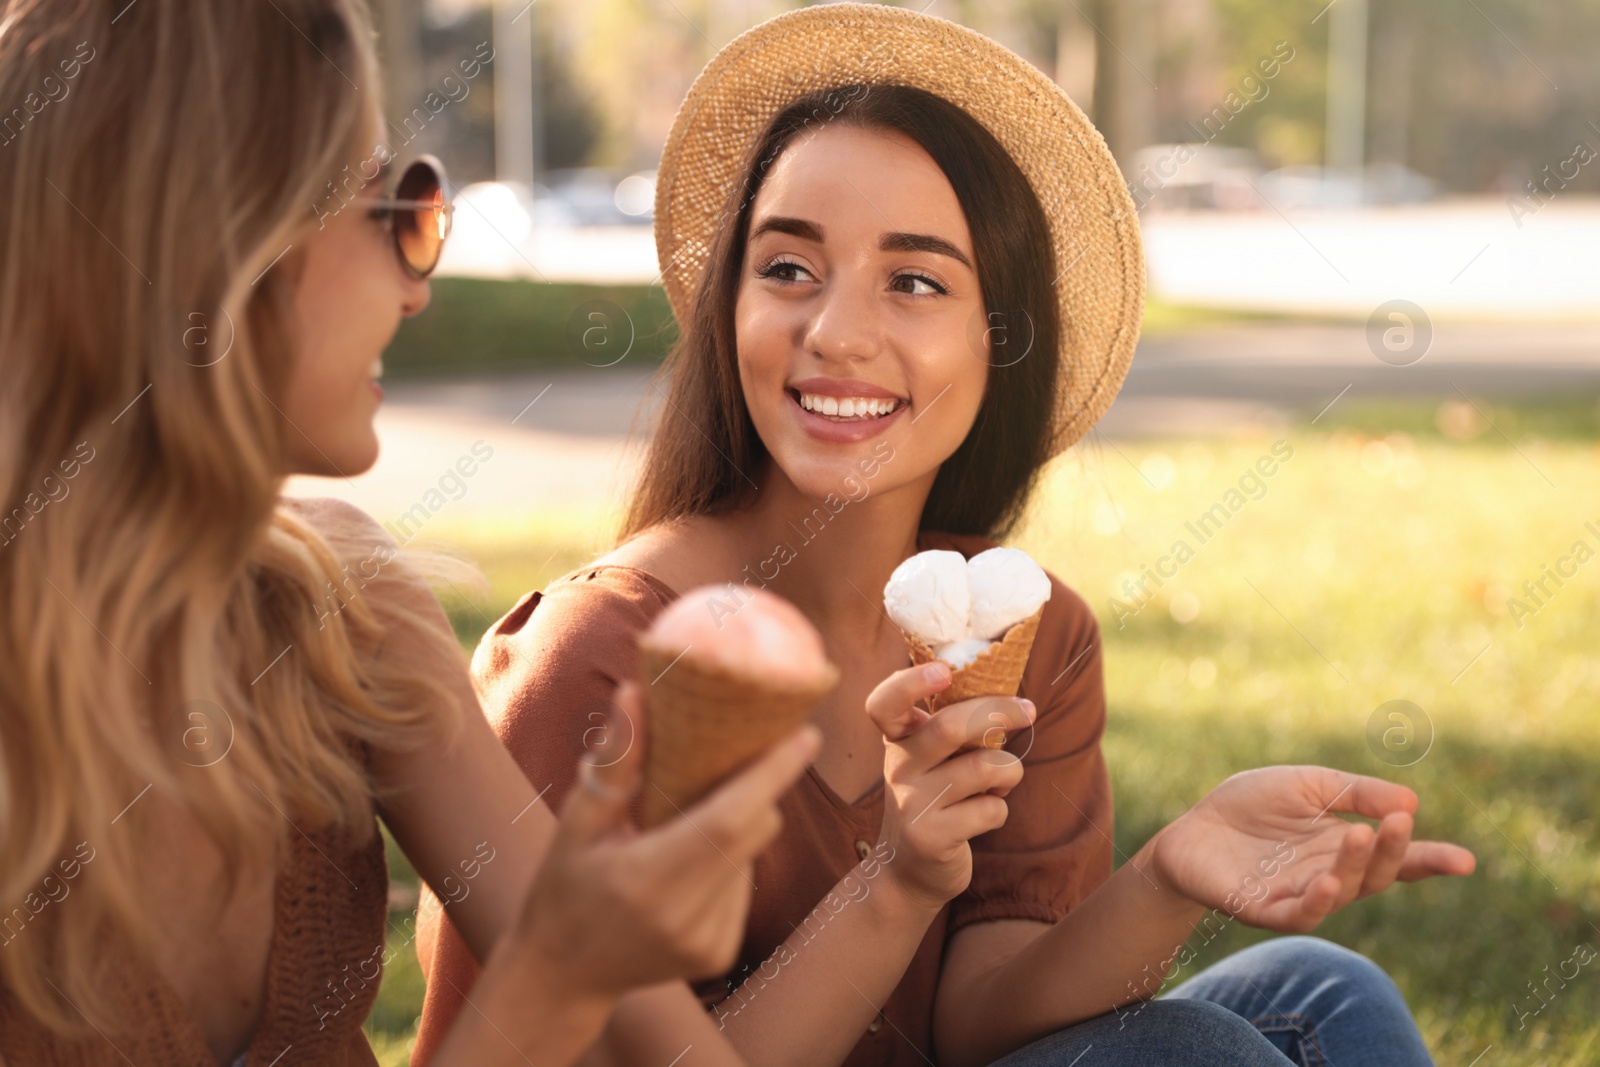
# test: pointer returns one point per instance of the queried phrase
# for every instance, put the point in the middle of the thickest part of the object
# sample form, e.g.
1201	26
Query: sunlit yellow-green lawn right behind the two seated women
1375	567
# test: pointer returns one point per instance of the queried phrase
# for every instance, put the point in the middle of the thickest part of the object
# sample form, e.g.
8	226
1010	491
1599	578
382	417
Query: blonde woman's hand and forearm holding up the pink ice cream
615	911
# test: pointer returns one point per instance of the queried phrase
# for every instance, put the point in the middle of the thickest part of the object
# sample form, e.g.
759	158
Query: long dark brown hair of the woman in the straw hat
694	465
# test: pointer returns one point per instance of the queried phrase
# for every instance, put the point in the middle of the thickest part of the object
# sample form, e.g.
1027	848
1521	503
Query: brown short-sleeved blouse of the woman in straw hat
558	657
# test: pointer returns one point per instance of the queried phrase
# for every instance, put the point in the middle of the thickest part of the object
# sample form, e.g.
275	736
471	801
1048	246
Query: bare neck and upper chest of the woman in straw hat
830	557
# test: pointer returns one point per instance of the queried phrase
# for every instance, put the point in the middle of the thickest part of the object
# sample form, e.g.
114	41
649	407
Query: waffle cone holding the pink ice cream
705	724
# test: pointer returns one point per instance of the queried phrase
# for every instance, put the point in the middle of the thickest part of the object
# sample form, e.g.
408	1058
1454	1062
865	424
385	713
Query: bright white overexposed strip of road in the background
1463	258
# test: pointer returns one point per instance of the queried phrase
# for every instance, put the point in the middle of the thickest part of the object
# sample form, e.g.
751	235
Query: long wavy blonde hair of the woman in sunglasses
159	158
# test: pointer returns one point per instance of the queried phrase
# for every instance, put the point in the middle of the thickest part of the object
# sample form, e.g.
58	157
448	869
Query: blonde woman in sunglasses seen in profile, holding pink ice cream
207	692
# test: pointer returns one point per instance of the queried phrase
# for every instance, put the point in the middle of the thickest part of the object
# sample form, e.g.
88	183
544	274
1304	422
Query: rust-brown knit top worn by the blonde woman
330	913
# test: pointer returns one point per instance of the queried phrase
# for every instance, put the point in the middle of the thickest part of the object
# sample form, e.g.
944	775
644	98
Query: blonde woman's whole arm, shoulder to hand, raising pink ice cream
663	905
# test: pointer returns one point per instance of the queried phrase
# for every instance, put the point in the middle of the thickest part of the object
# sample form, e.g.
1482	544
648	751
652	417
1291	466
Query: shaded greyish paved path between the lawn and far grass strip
561	439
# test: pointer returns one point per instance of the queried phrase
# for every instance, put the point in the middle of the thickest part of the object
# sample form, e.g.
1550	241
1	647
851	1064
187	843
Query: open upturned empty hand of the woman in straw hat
1270	849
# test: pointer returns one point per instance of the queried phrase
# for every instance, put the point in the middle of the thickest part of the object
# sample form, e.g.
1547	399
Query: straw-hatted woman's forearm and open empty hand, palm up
1265	849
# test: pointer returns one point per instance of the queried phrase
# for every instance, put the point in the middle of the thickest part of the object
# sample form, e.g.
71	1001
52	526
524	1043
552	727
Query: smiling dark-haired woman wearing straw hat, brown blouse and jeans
908	274
